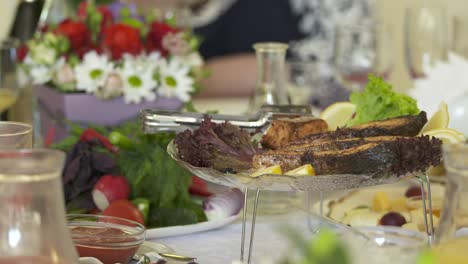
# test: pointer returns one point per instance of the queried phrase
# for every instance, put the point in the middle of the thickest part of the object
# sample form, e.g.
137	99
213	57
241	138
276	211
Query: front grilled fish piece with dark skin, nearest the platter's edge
396	155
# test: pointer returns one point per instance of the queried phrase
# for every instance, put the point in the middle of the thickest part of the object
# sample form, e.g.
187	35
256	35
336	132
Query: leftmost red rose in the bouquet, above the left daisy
76	32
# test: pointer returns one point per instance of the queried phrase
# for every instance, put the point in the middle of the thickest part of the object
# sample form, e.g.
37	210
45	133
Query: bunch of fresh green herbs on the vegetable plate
152	173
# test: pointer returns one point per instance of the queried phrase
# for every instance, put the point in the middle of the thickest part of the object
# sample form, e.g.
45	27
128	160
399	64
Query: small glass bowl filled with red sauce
107	238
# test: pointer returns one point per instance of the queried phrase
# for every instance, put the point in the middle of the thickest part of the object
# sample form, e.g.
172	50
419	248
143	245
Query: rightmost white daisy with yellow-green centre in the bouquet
175	80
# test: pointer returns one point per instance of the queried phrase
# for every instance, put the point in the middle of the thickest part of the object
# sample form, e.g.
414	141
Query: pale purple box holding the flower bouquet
55	108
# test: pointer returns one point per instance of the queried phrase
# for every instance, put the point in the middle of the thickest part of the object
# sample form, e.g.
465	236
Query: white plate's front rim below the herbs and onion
189	229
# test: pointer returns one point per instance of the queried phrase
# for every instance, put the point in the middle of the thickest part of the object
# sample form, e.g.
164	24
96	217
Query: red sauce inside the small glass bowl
108	250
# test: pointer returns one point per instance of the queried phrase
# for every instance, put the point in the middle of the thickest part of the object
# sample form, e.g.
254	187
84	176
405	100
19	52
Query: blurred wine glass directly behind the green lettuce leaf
361	50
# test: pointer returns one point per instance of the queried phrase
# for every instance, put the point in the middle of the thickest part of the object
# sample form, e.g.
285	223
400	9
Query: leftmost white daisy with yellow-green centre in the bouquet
92	72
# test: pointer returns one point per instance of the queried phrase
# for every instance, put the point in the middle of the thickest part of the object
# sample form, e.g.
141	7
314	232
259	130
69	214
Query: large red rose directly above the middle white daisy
120	38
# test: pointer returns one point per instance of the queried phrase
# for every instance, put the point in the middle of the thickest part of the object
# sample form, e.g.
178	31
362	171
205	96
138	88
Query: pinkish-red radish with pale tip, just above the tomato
110	188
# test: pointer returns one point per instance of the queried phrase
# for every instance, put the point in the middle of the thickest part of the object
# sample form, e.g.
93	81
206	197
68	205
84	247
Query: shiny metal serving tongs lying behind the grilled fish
155	120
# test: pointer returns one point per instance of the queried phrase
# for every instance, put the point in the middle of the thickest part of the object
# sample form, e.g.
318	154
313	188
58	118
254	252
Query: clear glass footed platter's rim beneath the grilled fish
274	182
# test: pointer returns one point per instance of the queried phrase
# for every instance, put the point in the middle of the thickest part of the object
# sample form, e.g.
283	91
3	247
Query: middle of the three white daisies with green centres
138	81
